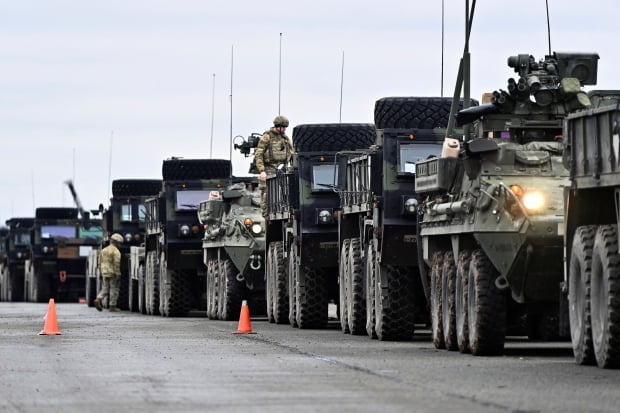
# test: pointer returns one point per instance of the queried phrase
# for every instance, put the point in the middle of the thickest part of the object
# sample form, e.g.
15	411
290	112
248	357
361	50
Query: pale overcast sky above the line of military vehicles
81	77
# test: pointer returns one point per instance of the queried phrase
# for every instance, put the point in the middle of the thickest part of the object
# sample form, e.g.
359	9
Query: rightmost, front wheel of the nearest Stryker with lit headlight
486	308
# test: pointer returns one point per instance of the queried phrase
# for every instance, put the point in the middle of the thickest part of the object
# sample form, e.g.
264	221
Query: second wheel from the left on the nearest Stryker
448	311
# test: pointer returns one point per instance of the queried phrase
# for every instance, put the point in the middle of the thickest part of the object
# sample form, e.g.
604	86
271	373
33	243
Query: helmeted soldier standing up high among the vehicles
274	148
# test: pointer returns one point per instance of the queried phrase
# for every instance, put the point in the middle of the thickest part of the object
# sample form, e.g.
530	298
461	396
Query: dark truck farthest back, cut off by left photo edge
15	245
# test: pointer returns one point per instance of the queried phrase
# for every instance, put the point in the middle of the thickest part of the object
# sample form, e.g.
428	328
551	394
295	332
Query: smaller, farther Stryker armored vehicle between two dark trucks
234	250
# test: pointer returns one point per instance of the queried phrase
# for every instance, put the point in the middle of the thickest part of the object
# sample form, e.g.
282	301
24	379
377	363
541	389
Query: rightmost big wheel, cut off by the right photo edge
605	297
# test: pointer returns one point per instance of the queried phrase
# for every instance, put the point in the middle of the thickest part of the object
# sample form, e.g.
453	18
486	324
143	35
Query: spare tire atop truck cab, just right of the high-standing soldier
333	137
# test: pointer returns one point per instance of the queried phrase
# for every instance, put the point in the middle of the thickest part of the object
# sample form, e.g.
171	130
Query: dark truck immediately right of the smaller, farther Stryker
302	231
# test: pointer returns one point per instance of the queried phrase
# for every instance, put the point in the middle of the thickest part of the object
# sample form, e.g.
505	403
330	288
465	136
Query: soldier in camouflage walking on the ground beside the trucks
110	267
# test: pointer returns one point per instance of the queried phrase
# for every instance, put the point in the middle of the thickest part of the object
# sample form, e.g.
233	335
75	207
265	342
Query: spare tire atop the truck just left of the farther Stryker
184	169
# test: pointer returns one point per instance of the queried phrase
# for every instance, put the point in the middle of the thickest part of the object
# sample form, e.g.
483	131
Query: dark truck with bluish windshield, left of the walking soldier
59	245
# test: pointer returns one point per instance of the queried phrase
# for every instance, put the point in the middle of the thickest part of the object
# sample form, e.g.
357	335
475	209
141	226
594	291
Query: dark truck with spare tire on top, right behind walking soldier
126	216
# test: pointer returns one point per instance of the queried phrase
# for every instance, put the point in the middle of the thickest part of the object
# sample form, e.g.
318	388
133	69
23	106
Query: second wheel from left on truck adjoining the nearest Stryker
356	301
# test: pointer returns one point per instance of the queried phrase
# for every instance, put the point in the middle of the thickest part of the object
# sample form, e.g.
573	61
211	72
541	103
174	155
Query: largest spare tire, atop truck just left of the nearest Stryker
413	112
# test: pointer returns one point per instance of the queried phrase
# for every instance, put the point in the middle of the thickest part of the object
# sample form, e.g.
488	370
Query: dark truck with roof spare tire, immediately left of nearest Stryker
380	290
